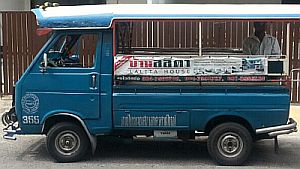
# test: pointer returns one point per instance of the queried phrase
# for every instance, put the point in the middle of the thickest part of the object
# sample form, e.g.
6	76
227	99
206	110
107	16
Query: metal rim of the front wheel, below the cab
67	142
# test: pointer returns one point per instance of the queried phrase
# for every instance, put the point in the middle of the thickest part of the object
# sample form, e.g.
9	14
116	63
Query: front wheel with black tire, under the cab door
67	142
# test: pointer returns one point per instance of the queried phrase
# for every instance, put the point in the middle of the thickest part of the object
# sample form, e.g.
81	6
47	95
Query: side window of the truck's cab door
73	50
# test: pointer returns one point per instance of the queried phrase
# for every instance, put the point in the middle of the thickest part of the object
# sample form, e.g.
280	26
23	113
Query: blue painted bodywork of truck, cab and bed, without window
67	90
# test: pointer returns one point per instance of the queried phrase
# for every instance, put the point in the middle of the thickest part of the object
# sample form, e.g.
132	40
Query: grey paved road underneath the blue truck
30	152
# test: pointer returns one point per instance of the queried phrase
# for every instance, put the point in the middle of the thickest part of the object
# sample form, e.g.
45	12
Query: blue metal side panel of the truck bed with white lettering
195	106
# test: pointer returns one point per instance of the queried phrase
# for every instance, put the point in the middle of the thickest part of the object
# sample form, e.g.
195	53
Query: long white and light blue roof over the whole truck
102	16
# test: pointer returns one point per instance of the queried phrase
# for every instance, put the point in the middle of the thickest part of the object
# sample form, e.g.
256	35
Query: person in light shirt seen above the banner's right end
261	43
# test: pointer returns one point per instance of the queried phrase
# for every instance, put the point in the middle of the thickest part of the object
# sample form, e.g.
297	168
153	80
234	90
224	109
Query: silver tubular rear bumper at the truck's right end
288	128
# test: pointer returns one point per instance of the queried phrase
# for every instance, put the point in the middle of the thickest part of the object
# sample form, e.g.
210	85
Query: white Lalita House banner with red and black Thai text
188	66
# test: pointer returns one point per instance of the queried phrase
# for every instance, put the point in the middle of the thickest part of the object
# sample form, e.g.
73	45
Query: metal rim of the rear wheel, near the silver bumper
230	144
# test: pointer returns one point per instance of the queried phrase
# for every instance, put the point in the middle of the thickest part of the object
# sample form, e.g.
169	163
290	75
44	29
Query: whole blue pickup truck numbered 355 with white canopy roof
73	96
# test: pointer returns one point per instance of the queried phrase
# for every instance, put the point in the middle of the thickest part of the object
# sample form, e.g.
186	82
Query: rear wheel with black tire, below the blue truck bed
229	144
